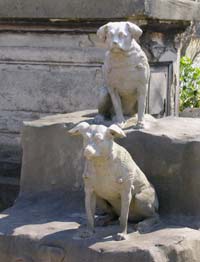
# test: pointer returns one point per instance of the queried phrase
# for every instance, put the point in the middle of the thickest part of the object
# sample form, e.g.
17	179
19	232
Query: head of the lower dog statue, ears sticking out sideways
98	139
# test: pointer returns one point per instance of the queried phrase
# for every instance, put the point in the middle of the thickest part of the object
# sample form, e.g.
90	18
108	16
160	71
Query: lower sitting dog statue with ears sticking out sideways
111	175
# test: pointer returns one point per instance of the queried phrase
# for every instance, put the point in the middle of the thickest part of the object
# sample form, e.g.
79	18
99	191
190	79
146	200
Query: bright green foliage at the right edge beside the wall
189	84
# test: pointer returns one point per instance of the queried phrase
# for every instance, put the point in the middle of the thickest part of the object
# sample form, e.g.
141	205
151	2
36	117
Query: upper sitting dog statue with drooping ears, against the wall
126	73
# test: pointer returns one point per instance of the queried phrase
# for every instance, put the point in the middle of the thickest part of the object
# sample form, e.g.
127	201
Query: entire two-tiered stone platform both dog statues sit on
43	224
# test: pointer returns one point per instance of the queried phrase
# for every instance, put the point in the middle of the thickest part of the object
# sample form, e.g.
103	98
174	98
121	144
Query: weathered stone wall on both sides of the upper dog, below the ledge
45	73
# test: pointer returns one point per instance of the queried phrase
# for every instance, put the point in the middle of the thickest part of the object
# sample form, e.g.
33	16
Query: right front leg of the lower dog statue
126	197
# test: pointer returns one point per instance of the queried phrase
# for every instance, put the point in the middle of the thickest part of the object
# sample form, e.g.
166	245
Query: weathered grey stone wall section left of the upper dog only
42	74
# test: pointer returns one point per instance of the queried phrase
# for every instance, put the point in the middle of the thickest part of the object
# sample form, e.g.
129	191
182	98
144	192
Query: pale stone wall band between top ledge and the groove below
55	47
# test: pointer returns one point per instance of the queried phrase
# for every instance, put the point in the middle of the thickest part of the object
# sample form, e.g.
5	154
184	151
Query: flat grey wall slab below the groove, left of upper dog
50	88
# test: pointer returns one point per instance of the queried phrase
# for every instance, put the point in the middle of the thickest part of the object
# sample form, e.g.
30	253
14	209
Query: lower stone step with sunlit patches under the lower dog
54	220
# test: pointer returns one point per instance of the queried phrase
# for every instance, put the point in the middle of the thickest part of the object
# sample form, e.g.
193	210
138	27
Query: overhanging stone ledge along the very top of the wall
77	9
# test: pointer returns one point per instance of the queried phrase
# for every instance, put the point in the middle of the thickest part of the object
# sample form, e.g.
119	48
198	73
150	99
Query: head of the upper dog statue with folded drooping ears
119	35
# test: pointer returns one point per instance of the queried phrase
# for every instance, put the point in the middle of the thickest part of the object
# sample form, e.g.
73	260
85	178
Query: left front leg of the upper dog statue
116	101
